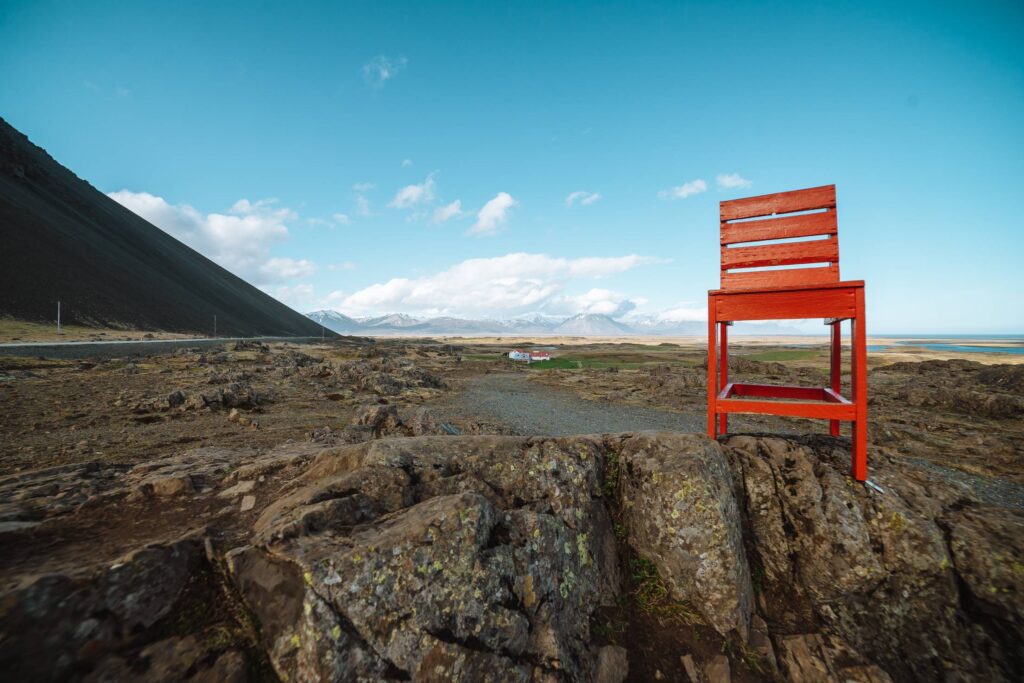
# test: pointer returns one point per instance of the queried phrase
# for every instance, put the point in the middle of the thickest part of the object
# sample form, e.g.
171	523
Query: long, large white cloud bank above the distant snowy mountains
507	285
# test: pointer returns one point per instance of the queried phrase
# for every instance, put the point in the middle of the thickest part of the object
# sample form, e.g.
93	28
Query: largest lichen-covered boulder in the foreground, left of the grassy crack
465	559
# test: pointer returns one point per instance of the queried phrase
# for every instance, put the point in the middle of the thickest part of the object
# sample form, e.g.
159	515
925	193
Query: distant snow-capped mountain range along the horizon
584	325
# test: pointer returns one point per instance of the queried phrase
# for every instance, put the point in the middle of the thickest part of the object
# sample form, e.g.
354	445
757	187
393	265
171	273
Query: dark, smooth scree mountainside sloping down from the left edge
63	239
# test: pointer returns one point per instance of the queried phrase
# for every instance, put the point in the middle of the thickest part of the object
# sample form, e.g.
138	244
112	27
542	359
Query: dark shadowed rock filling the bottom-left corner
126	622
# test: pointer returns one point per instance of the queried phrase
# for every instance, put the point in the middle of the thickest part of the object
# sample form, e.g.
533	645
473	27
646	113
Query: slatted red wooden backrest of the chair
752	249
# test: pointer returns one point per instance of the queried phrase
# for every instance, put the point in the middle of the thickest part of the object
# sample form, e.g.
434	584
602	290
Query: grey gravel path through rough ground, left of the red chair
543	411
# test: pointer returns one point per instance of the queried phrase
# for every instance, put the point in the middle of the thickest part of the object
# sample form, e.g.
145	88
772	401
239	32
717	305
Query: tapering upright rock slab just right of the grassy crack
679	513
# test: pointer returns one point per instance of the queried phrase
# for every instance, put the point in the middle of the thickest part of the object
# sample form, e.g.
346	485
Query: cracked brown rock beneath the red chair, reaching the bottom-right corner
881	570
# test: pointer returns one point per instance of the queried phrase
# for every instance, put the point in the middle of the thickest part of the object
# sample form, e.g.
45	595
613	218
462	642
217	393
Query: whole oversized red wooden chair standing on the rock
757	236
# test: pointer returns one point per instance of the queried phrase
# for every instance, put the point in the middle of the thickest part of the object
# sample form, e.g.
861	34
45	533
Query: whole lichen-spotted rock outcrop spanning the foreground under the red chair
442	558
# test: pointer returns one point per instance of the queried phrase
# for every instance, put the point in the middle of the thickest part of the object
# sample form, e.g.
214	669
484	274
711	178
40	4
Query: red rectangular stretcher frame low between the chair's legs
787	401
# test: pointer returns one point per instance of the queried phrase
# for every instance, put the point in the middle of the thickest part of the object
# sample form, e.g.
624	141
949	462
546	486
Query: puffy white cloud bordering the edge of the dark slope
239	240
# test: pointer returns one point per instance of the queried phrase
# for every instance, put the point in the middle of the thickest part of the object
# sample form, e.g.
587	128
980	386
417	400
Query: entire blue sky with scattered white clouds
320	151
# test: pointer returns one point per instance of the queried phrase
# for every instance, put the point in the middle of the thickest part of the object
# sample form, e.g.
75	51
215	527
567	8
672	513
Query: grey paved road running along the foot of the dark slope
118	349
